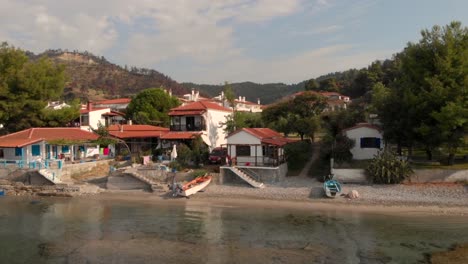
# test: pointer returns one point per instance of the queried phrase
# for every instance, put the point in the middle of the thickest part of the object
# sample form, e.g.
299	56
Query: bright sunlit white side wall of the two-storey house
214	135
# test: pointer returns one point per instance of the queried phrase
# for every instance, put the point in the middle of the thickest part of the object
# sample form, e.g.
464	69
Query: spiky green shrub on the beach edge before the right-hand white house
386	168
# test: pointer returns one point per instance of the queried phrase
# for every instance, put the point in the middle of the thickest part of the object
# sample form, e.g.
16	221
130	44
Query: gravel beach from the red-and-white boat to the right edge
307	189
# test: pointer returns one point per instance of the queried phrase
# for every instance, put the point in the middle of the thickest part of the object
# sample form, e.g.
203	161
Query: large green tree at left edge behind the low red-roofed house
25	88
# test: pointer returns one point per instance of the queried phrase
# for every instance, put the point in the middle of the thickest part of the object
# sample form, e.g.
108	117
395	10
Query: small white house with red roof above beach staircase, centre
257	147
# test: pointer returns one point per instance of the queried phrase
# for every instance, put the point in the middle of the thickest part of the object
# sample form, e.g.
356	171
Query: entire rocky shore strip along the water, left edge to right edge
439	198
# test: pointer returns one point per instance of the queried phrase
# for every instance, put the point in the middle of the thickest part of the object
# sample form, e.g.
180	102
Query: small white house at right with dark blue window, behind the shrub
368	140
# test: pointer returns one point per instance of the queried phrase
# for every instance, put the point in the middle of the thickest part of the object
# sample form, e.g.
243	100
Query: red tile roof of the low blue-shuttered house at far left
33	135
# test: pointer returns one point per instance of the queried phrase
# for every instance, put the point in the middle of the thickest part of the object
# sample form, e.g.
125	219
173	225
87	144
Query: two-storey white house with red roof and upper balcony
202	118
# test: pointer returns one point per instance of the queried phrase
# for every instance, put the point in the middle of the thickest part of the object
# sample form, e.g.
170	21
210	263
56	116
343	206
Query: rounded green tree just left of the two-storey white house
151	106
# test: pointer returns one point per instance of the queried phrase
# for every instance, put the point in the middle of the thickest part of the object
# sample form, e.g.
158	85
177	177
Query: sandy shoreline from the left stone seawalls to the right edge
307	194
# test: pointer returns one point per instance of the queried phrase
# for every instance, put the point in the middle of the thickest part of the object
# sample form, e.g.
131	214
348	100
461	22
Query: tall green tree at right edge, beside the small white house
434	74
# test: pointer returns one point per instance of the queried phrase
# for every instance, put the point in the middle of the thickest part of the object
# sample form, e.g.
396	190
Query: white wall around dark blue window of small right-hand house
362	132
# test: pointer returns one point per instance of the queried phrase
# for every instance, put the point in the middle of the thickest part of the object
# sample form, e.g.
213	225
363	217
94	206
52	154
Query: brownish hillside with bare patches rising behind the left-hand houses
92	77
